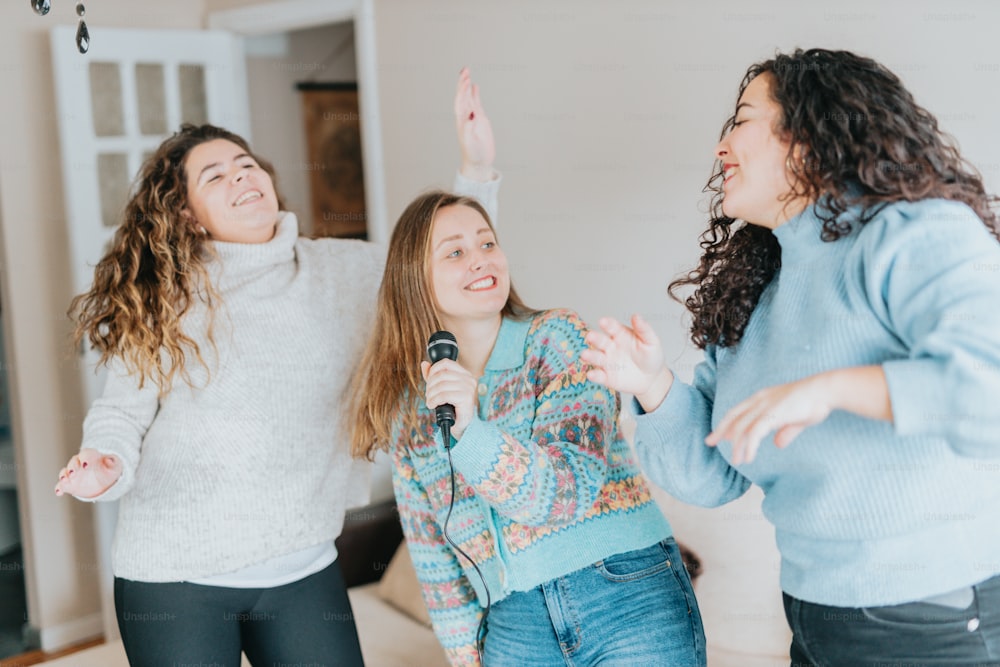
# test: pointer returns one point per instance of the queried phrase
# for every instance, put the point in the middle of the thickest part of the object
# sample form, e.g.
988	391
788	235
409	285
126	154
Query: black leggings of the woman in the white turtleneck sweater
175	624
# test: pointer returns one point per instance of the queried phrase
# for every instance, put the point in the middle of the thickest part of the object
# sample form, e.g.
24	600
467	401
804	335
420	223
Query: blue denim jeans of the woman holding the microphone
634	609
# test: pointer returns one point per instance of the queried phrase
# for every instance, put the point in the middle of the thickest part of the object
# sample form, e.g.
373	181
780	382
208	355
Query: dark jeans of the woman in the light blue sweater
904	635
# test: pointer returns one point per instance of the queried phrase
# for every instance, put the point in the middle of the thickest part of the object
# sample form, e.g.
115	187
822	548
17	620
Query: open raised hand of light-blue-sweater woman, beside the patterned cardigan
629	359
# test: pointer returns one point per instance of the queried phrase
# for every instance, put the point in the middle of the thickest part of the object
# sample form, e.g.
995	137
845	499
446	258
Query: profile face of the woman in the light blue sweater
758	185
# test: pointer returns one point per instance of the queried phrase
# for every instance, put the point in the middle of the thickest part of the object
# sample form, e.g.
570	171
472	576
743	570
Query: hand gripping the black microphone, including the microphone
451	390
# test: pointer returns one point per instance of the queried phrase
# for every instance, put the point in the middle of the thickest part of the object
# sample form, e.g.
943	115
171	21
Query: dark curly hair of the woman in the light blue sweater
858	139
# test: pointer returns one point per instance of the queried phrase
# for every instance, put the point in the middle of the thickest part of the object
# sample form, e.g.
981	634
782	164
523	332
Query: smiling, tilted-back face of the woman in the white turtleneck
229	194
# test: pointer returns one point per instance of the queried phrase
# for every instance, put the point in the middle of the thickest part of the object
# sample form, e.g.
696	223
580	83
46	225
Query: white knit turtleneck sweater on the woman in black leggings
254	463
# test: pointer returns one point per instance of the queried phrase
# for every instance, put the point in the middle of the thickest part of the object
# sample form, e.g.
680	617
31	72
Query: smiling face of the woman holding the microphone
468	270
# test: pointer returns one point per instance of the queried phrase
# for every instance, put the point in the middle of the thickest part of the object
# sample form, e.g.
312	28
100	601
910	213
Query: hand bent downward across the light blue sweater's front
786	408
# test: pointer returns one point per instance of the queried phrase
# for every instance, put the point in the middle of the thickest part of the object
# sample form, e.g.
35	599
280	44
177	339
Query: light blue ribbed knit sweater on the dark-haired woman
866	512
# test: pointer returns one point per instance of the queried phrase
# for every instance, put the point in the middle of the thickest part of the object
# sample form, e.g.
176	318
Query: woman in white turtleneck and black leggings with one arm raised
229	342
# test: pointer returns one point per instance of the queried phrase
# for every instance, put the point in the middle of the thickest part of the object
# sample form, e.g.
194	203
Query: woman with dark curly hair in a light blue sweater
848	299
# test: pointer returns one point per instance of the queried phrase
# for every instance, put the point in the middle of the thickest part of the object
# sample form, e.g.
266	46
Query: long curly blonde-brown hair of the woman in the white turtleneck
154	270
